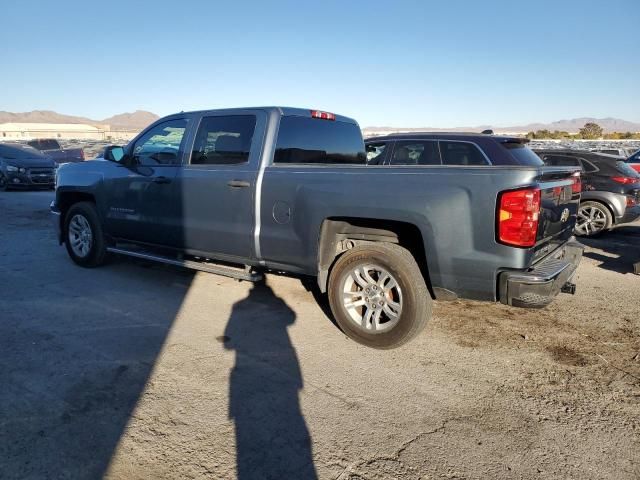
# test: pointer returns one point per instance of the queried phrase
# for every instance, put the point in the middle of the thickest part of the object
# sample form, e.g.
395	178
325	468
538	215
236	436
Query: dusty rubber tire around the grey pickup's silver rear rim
415	300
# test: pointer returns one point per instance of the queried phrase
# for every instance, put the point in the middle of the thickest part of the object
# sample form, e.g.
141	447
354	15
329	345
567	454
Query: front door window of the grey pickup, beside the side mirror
161	144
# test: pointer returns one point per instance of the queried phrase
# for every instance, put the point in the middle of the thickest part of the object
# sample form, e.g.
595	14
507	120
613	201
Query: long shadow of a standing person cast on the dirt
272	438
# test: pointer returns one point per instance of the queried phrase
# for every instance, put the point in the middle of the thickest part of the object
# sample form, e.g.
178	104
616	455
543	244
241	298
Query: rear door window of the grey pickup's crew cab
223	140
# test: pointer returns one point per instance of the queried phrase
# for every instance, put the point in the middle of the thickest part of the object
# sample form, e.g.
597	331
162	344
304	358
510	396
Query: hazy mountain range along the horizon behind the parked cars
140	119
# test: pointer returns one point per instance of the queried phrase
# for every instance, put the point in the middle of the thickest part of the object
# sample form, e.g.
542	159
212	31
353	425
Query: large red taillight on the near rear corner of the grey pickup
517	217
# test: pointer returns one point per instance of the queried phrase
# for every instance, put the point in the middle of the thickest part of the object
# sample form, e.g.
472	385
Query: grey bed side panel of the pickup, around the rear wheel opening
453	207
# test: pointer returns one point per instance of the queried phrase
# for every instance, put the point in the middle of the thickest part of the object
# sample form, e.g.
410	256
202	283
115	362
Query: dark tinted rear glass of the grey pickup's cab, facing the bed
314	141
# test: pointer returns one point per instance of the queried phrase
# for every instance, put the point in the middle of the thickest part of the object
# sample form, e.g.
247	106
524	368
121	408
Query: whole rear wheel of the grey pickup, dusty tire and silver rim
378	295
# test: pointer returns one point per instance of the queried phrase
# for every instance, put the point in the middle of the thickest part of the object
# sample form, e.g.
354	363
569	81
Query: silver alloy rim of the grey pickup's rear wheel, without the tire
372	298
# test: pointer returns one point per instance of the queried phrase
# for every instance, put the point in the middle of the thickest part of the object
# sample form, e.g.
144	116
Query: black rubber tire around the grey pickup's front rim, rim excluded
97	252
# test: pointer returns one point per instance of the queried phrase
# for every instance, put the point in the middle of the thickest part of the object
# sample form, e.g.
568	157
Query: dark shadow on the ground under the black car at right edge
620	247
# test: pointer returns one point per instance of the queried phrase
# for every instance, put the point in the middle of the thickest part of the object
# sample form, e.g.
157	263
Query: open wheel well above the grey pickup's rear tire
340	234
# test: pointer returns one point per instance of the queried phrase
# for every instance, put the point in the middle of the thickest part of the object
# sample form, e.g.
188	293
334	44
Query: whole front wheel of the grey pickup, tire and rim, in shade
83	235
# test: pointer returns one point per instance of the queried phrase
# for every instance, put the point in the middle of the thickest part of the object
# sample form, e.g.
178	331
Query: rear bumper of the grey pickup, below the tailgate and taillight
540	284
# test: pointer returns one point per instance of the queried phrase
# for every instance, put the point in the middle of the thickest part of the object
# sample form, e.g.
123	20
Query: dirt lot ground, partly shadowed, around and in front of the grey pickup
140	371
